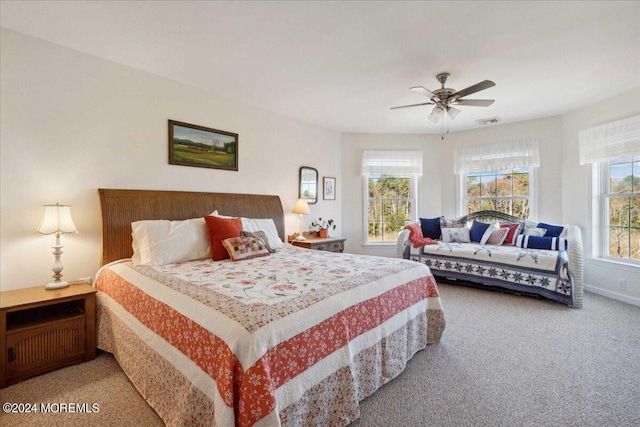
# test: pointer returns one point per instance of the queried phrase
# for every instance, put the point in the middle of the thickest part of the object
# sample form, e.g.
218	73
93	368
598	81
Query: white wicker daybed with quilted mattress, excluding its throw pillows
553	274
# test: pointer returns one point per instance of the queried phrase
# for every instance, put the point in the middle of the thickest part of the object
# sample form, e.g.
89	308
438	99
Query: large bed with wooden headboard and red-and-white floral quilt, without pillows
297	337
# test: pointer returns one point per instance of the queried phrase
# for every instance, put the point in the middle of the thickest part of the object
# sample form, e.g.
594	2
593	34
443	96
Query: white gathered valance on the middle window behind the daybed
499	156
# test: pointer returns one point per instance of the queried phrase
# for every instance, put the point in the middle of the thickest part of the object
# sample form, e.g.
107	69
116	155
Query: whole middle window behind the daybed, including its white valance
499	177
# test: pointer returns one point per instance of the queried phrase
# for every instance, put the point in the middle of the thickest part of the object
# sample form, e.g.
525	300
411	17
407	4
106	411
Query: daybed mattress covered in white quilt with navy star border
535	271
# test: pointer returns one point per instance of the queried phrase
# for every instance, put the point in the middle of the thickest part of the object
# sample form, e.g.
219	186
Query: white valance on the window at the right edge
610	141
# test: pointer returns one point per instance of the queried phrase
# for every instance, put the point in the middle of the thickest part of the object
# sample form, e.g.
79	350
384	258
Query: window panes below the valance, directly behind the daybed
505	191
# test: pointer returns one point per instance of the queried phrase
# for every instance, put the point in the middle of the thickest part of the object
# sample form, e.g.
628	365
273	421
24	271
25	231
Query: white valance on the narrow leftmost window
392	162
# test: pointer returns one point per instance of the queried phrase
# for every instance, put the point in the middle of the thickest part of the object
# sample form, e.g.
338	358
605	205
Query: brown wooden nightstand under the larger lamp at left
44	330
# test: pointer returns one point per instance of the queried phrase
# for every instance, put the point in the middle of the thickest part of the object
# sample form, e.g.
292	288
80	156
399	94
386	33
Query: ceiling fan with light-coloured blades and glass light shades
444	98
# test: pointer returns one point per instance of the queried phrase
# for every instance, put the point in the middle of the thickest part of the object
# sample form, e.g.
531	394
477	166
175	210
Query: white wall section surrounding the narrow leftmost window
429	186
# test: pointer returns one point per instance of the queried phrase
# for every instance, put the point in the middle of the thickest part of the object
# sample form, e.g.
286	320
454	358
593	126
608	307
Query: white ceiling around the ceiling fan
342	65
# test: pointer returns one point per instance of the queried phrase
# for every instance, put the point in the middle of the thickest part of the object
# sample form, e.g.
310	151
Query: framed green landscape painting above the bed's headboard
192	145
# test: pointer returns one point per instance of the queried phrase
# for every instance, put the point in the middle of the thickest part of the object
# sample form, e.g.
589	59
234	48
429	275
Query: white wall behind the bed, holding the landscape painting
73	123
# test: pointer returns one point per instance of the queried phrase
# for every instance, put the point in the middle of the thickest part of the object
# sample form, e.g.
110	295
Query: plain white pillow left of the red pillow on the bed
159	242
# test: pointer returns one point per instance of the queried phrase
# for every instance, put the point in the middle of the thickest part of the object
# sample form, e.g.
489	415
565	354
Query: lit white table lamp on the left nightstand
57	220
